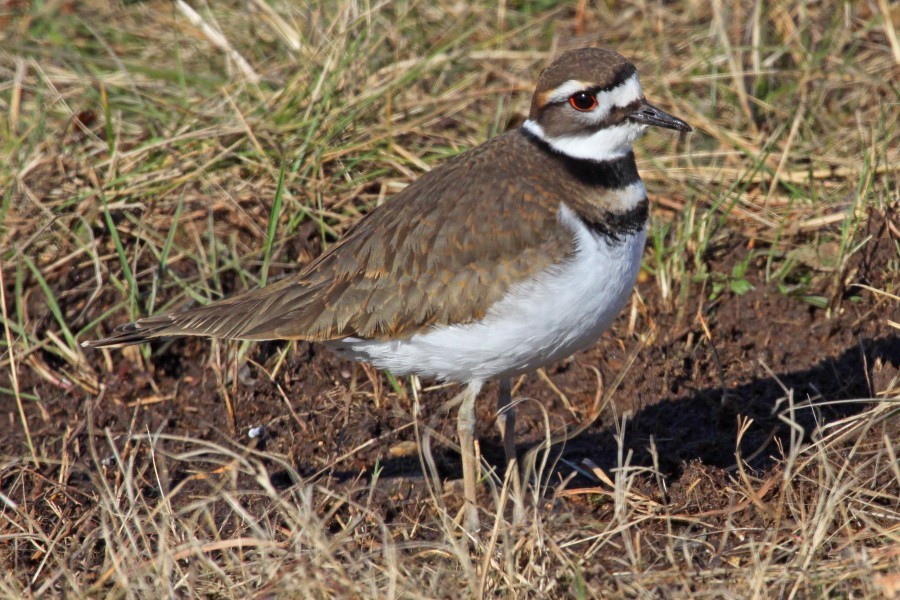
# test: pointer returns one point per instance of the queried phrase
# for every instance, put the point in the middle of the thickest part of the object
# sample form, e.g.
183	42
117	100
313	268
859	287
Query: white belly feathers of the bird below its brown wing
538	322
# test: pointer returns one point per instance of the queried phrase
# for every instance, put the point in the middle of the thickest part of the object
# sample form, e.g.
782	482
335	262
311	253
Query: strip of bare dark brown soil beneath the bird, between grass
336	422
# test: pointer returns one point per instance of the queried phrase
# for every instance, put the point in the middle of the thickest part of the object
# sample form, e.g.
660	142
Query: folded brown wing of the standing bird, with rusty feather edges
440	252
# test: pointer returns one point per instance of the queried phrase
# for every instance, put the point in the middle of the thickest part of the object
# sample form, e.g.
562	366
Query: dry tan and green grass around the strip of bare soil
153	153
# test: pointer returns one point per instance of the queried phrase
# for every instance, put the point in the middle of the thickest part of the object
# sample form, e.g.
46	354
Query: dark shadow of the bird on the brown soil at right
704	425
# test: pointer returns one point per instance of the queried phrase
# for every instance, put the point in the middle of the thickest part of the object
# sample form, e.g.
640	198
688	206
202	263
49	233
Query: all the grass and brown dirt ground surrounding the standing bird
733	436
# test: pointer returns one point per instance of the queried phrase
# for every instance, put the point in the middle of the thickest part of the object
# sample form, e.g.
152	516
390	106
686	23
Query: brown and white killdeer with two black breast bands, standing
505	258
